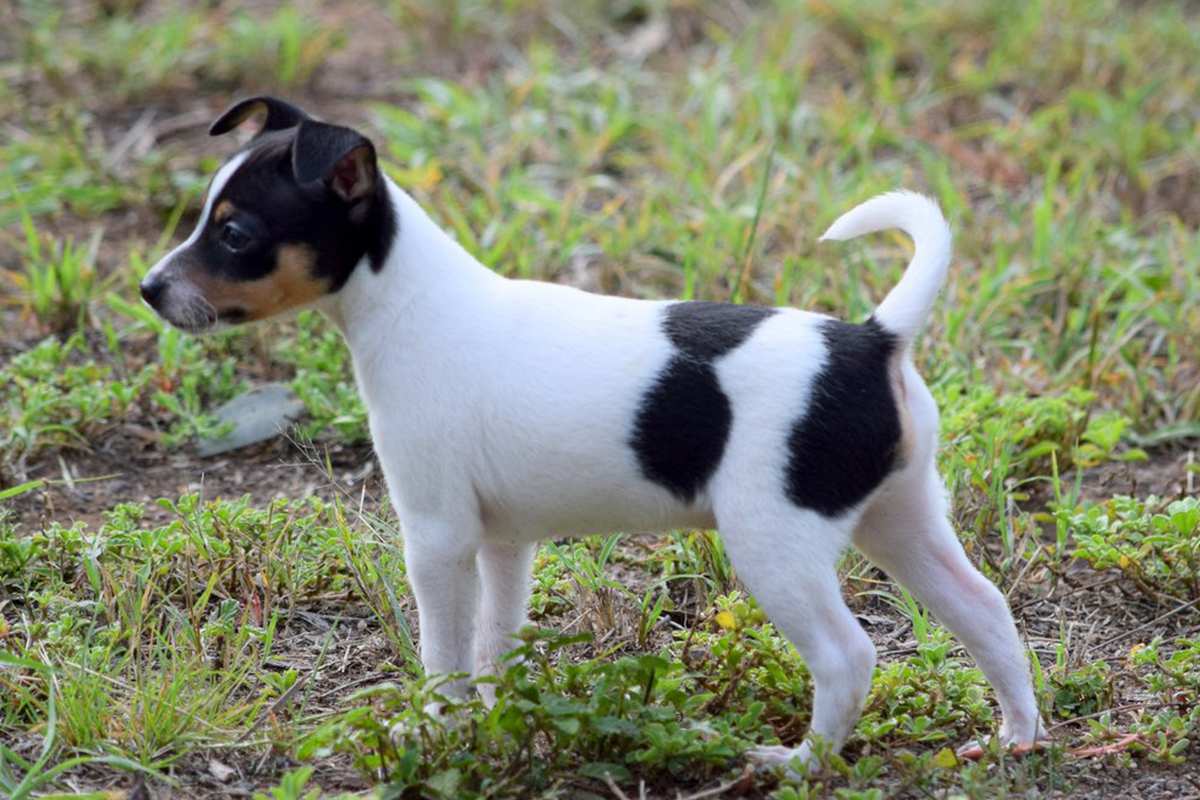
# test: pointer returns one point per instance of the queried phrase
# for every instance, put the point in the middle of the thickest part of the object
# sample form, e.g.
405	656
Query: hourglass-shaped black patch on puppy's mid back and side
685	420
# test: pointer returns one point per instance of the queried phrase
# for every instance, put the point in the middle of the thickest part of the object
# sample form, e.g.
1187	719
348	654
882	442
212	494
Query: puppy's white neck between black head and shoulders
424	278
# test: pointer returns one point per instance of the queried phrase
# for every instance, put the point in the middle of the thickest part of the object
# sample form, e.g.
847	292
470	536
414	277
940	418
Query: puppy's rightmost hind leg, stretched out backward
907	533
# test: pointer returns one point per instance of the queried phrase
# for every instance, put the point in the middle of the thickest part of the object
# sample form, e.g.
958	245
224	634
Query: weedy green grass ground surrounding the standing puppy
158	628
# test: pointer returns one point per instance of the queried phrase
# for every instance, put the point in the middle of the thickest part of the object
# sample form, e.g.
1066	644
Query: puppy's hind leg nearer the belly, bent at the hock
788	560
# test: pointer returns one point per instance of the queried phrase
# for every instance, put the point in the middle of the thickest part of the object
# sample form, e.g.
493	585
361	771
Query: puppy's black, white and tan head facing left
285	222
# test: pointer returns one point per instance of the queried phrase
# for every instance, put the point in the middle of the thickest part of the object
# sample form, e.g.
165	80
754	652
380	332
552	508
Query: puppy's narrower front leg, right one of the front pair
505	570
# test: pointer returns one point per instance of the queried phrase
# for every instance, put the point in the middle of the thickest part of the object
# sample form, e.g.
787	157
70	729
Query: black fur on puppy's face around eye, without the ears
271	202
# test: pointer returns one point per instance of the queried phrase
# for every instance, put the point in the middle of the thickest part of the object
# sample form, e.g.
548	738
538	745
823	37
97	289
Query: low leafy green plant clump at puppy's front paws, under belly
575	715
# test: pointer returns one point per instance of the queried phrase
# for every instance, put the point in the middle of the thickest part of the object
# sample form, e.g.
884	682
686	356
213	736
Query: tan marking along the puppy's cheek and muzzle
291	285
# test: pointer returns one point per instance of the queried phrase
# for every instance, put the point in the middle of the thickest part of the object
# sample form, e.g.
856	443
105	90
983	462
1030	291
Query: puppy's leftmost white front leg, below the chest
440	556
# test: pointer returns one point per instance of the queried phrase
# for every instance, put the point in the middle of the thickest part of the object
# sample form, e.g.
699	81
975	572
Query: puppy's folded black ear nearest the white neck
343	159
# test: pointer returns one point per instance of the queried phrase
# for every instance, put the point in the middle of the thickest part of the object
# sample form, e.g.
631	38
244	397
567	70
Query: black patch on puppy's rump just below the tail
847	443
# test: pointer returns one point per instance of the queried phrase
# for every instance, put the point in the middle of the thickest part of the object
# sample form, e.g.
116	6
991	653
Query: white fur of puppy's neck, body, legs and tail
502	412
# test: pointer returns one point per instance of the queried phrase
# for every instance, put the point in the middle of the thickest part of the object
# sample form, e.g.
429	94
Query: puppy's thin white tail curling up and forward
907	308
